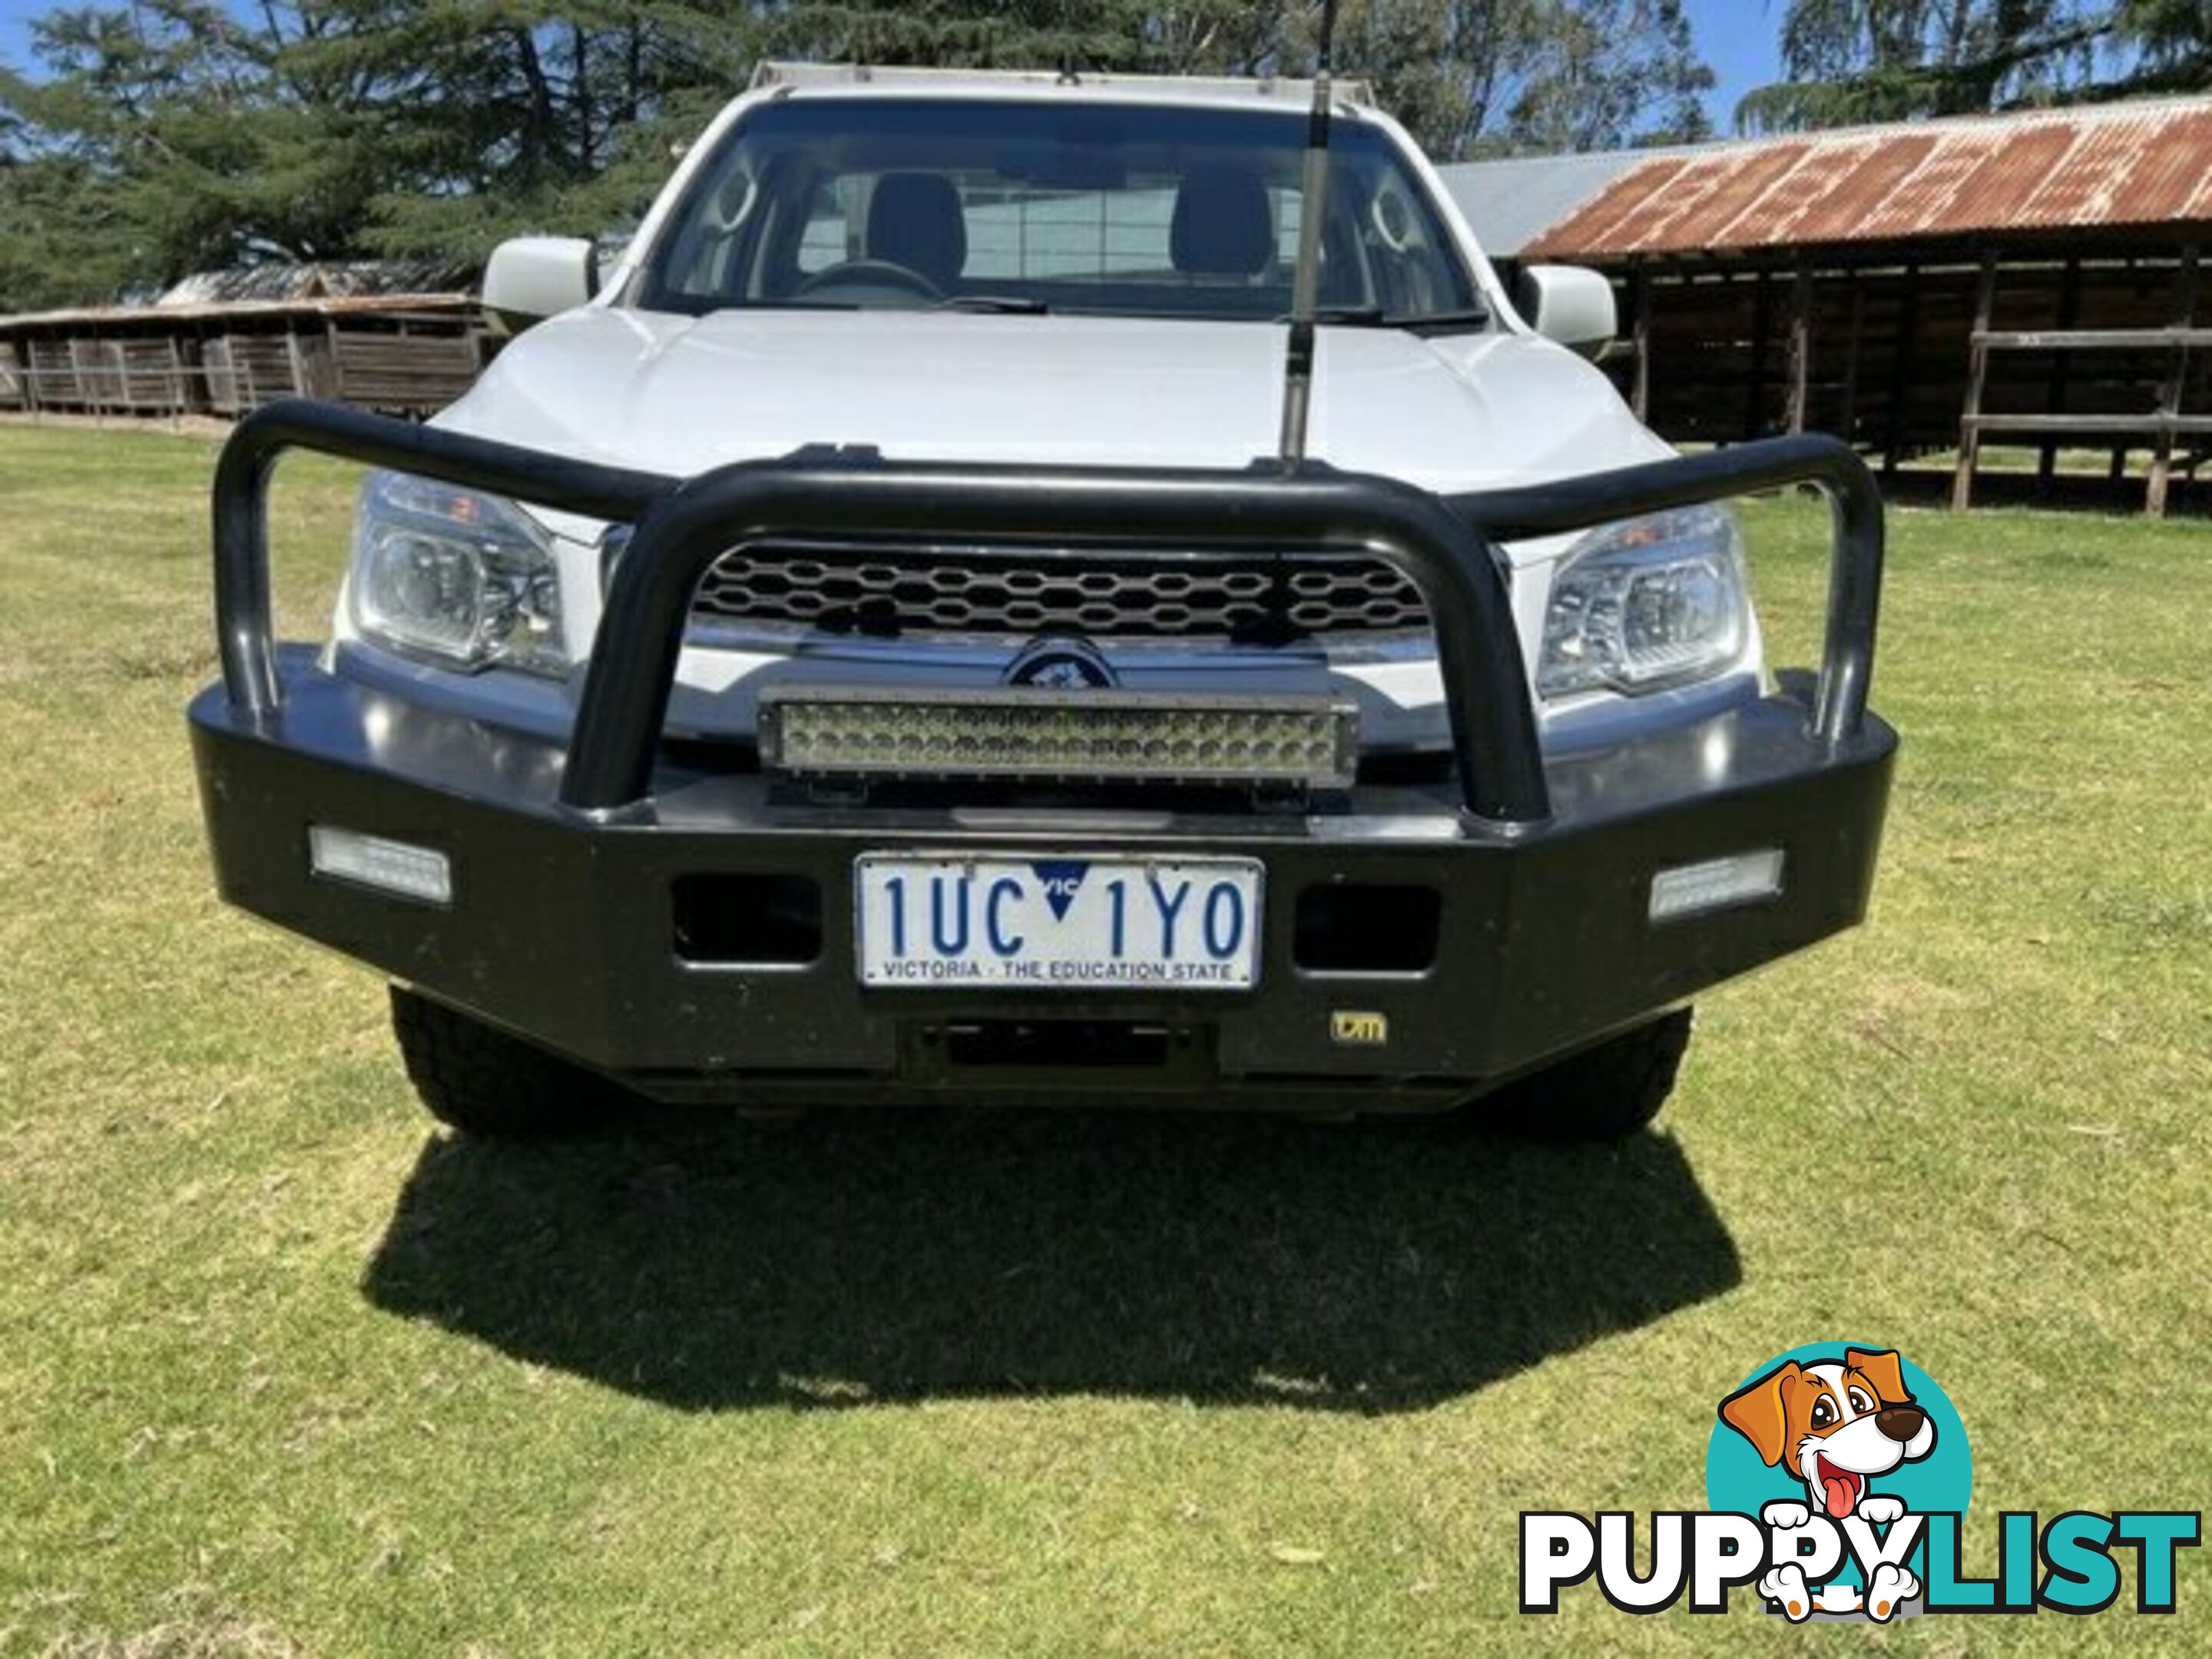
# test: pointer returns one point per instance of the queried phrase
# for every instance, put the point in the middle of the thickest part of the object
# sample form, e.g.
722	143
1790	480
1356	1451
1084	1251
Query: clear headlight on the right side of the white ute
1645	605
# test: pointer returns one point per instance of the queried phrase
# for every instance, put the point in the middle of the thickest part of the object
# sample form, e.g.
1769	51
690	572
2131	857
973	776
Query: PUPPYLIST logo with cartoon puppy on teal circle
1837	1485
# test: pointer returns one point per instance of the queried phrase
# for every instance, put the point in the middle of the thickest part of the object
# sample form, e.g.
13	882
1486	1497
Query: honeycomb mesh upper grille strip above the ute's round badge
935	592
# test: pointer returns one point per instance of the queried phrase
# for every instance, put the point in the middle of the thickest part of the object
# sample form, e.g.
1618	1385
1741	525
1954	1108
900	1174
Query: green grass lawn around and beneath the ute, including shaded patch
284	1370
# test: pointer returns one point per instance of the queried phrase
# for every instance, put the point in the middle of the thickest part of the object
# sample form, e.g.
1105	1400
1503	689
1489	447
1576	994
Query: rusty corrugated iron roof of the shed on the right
2118	165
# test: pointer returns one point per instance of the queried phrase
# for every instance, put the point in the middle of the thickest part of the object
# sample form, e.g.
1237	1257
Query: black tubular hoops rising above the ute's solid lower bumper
1446	545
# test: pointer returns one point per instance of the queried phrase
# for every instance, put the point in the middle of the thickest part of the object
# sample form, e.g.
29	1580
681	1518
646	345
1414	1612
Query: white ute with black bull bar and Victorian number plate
990	598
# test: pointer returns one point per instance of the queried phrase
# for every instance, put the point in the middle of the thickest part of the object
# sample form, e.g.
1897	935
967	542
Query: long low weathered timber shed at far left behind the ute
397	353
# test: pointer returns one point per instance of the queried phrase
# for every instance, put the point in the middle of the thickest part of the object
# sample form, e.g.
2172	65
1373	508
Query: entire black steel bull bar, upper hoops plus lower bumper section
567	857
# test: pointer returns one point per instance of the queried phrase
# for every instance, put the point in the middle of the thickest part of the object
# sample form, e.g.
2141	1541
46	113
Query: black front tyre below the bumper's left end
486	1083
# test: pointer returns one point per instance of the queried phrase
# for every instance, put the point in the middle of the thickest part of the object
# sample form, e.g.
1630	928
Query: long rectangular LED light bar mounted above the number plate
1025	733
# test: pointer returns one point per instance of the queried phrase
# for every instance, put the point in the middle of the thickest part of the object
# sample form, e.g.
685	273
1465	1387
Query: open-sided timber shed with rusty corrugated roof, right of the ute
1923	291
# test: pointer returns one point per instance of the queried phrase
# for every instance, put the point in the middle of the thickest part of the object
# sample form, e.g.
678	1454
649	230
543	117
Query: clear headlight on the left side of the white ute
455	576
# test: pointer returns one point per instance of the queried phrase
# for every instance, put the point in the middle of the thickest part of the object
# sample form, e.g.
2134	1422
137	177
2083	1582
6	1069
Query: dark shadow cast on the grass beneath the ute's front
924	1255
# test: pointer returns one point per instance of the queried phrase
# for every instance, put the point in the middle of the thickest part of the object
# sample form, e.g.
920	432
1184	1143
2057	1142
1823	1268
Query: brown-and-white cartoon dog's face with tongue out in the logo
1833	1426
